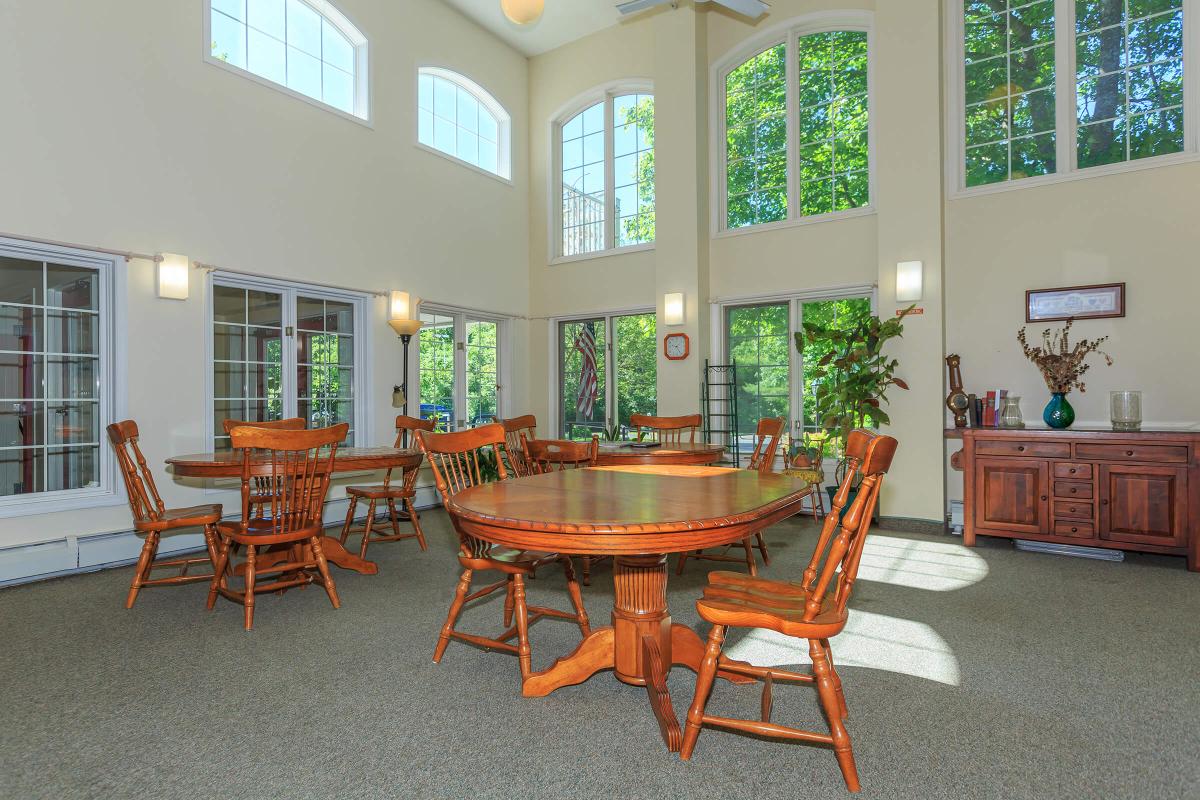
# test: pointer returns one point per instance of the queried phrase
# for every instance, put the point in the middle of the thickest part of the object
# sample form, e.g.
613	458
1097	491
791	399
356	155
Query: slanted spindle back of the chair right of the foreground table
842	540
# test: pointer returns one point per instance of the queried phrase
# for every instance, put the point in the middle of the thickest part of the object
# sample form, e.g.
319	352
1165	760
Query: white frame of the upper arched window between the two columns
788	33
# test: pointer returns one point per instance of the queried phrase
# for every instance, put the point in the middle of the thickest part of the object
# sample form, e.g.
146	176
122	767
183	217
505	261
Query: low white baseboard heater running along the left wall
79	555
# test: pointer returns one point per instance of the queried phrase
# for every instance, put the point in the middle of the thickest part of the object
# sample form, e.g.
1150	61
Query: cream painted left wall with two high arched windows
118	135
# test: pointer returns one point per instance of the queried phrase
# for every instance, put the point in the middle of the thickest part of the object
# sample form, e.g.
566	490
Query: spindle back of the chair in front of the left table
297	465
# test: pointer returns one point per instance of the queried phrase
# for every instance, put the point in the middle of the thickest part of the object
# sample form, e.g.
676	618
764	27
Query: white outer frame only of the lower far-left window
112	374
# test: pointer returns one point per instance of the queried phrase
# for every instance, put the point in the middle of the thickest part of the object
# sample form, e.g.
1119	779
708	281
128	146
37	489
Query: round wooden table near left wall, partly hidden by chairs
349	460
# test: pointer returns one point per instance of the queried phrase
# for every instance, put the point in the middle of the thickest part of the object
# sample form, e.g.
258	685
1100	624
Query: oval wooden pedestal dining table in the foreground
638	514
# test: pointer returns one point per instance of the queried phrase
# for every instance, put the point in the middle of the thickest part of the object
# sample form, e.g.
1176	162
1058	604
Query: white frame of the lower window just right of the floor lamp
503	360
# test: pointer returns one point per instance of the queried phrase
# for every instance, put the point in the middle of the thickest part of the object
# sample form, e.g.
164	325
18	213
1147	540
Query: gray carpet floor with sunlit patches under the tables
982	673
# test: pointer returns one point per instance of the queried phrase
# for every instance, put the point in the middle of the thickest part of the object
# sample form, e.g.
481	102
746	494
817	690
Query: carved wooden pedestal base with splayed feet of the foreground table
640	647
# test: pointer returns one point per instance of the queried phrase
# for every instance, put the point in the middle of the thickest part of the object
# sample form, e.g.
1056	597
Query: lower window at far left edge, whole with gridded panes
56	372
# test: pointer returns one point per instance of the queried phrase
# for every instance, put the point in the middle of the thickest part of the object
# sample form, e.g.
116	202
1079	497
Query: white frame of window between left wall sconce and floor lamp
363	312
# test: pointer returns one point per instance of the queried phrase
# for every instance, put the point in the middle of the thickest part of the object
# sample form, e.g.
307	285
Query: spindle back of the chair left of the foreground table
454	459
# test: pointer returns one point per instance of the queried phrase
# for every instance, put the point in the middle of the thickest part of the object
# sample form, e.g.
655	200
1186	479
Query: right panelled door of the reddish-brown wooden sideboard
1144	504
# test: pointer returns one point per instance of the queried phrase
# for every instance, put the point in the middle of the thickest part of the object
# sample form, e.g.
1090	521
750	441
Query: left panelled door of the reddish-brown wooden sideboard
1011	495
